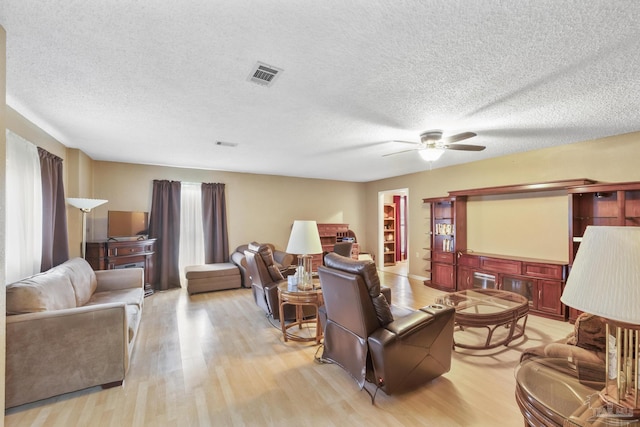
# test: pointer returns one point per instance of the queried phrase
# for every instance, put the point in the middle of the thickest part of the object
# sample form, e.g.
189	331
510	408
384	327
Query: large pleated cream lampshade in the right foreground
605	277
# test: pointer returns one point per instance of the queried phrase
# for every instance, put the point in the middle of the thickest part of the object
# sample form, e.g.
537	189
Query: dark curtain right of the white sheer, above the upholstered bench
214	224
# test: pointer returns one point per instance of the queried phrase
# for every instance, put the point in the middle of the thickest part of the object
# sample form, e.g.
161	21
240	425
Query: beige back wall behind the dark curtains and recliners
259	207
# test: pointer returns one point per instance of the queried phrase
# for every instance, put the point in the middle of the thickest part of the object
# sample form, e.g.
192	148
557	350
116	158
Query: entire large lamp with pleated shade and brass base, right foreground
605	281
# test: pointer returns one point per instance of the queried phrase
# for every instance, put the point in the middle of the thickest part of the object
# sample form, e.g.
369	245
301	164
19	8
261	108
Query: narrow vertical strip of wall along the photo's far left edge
3	162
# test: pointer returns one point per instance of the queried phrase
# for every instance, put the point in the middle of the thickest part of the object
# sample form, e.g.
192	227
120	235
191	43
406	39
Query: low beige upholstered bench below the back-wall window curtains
212	277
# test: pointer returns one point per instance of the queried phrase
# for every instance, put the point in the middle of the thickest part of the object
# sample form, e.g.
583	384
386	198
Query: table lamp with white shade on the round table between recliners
304	241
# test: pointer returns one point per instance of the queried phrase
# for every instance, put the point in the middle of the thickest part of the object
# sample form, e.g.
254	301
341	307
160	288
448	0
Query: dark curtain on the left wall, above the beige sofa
55	243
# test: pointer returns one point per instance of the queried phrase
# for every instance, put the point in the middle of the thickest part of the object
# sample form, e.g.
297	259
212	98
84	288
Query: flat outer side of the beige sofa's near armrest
54	352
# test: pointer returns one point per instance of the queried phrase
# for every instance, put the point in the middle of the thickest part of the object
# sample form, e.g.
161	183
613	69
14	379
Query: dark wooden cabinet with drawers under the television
109	255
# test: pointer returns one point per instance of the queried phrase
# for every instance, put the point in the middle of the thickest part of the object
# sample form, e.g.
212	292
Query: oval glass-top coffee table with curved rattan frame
488	309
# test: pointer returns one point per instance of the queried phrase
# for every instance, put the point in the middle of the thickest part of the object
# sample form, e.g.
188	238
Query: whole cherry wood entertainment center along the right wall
453	267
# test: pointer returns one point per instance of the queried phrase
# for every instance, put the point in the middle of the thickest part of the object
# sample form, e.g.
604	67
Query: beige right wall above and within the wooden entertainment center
533	225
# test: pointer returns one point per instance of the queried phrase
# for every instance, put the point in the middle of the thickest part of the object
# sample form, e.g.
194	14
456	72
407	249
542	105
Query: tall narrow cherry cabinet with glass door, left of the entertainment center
448	234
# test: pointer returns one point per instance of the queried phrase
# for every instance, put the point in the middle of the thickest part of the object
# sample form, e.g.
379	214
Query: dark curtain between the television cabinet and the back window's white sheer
164	225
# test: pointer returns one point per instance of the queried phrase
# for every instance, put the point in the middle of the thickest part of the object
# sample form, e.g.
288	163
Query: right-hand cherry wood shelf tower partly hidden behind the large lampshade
611	204
